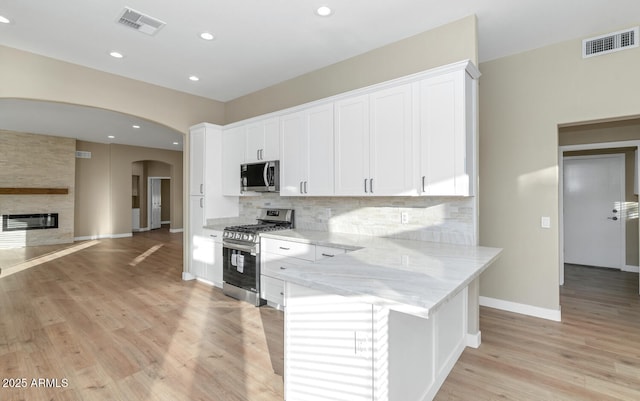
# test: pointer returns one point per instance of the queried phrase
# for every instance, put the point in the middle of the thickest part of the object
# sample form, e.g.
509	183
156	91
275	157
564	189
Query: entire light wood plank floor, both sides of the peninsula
119	326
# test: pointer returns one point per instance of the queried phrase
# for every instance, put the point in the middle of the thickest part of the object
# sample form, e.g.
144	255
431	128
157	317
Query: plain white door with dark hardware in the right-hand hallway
593	218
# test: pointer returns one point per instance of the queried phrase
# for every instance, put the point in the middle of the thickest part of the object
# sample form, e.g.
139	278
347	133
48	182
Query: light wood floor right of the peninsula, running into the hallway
594	354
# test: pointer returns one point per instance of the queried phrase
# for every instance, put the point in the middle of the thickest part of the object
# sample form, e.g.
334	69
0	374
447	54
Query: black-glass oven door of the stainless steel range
240	266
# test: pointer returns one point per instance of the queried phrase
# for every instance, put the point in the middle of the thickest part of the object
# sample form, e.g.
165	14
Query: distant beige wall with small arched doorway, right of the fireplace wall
103	200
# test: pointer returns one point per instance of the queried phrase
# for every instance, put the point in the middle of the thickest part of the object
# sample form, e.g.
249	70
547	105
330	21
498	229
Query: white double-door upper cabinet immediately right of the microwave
306	162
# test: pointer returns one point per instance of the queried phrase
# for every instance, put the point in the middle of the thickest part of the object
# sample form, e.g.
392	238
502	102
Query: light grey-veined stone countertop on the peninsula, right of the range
413	277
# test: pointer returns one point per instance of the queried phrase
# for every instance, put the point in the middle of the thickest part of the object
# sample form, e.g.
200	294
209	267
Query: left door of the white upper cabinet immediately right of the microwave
292	160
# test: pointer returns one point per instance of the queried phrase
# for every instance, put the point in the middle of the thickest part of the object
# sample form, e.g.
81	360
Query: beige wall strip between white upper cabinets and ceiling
444	45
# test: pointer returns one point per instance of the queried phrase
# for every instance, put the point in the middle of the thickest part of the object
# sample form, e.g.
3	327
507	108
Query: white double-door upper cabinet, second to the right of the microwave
373	144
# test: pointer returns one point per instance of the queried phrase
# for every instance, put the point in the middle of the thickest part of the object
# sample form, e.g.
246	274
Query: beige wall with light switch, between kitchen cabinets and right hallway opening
523	100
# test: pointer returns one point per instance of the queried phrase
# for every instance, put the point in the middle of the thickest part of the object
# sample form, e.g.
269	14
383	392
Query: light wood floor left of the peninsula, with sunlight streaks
116	326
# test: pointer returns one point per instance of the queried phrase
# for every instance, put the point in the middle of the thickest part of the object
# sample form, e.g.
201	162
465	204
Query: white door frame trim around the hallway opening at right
569	148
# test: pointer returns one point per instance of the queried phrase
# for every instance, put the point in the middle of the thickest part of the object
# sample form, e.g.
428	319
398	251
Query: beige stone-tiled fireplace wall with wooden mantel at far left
37	161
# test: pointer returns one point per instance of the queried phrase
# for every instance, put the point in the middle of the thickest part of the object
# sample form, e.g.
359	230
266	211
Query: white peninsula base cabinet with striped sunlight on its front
343	349
